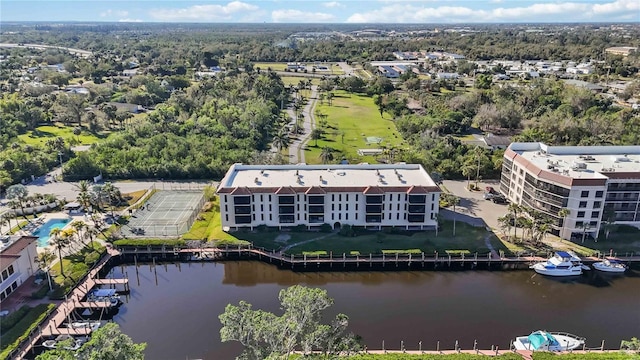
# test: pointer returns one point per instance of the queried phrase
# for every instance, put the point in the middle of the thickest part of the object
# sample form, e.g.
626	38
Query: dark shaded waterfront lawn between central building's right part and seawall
467	238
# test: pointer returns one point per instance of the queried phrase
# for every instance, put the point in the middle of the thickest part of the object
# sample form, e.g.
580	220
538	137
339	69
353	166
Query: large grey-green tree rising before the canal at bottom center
266	335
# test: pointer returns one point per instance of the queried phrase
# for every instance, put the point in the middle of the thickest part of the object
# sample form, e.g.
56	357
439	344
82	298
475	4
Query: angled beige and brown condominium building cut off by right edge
596	184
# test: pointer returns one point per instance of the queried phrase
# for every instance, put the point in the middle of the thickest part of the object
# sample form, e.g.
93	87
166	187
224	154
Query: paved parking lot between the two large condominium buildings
473	206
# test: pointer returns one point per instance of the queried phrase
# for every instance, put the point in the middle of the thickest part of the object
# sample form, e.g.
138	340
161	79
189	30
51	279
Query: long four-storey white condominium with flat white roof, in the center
373	196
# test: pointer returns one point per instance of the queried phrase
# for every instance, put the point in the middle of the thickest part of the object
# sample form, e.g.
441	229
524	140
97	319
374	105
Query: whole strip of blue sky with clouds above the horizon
318	11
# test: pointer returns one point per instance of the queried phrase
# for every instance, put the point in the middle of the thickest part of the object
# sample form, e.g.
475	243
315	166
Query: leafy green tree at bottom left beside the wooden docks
106	343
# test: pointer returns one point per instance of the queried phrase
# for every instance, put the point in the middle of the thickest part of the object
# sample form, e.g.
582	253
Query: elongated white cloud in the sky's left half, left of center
204	12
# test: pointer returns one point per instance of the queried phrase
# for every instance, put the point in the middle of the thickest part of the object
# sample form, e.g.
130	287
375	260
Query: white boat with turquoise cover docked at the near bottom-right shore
548	341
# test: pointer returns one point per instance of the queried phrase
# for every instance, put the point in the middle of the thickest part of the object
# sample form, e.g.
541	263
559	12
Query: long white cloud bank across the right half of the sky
565	11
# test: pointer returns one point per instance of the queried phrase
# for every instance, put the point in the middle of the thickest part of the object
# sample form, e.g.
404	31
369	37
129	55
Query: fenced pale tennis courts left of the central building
165	214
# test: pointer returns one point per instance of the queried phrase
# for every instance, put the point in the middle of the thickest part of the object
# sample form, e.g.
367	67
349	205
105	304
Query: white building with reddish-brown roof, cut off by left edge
17	262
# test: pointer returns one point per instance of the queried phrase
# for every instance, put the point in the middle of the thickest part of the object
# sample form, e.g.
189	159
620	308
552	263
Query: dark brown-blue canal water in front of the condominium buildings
174	307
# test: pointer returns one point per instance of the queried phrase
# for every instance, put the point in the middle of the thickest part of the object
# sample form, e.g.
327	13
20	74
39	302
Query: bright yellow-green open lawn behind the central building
357	117
